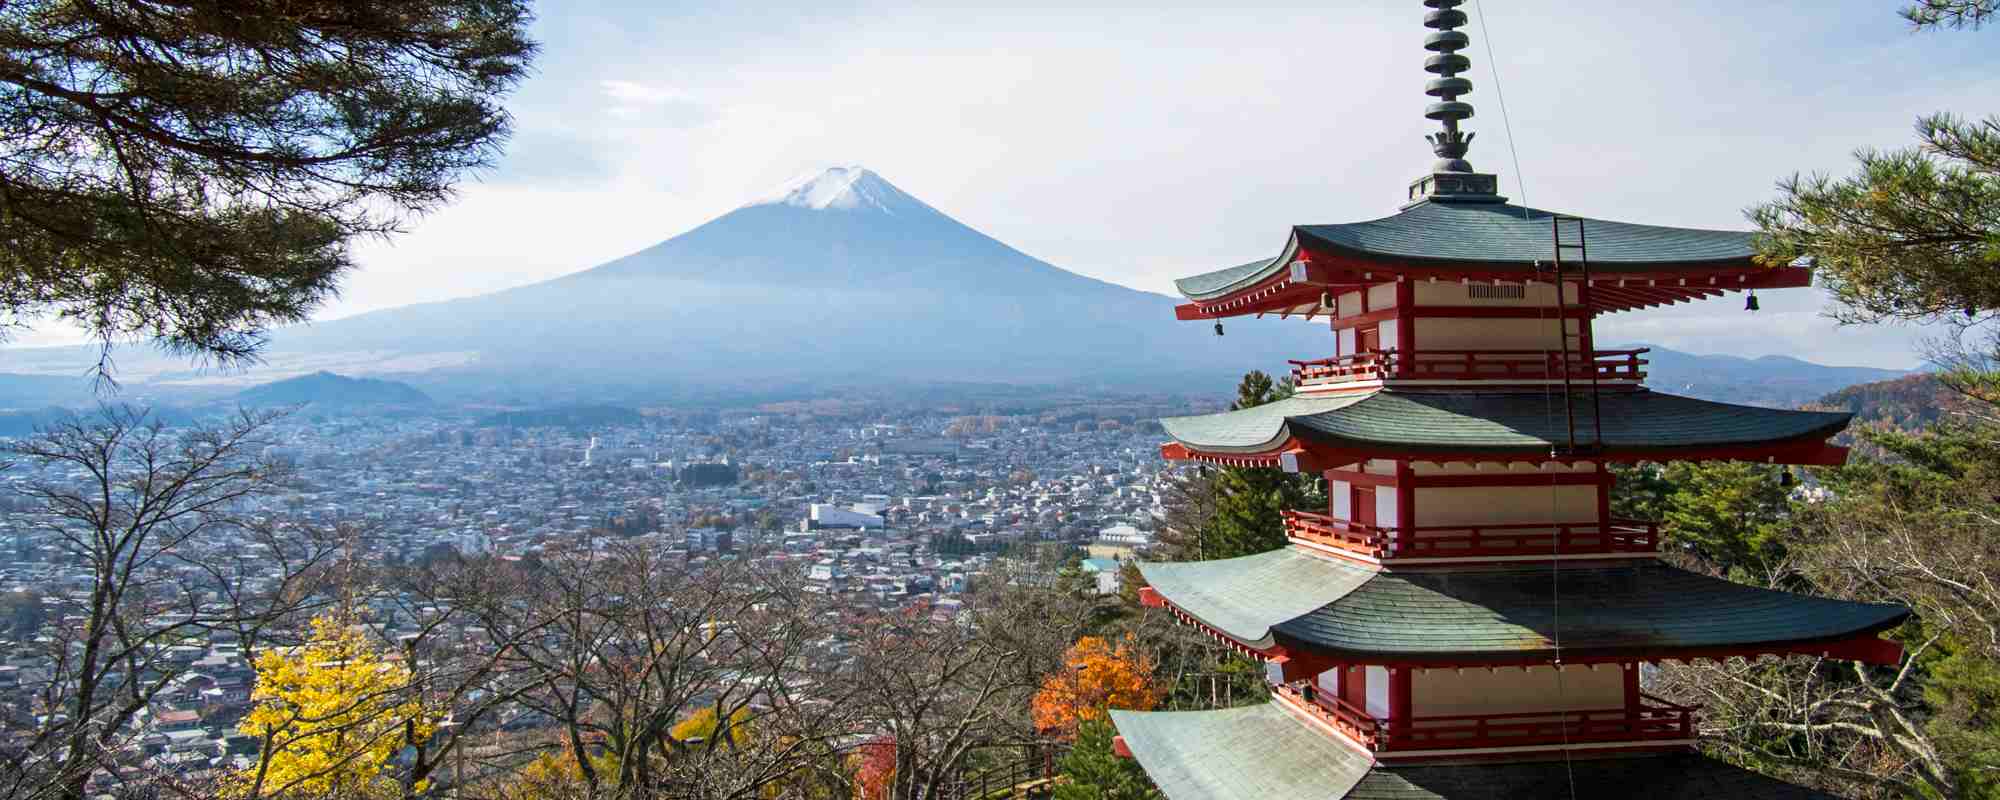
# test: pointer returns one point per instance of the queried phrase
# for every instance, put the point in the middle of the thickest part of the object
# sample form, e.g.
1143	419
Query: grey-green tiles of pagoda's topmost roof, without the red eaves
1493	239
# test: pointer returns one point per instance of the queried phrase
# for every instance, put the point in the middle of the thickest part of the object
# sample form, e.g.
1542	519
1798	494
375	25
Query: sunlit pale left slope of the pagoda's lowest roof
1257	753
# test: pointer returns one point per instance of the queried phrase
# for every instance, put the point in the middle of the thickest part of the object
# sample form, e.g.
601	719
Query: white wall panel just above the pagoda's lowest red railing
1511	691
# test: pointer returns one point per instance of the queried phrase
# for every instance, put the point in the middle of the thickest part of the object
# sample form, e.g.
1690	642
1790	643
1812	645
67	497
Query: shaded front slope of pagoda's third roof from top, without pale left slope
1499	615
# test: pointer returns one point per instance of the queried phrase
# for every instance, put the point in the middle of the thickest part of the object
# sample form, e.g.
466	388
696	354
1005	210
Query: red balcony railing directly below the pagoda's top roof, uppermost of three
1473	365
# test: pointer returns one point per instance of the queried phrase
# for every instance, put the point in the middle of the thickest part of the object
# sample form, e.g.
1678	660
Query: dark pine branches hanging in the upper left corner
191	173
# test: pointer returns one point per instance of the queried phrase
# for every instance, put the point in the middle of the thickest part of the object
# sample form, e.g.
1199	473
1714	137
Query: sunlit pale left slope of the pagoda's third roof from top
1245	597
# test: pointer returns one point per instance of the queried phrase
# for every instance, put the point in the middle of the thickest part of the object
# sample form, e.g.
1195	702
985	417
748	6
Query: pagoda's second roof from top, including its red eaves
1321	433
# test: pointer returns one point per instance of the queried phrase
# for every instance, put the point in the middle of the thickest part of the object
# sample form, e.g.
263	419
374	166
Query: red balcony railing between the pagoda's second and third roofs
1533	539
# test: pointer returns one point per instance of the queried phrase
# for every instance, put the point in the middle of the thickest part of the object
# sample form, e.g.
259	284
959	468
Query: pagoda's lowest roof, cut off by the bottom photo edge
1263	753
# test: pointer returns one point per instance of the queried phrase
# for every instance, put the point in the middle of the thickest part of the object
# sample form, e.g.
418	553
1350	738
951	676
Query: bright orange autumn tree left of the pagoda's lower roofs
1095	677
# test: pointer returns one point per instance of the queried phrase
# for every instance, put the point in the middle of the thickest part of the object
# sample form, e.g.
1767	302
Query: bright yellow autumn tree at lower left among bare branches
329	715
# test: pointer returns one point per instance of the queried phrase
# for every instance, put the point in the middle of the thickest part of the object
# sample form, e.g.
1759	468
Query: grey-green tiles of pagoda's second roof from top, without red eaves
1495	423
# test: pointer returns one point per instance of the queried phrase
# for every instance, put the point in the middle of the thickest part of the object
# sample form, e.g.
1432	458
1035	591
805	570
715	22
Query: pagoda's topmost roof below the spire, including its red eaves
1631	265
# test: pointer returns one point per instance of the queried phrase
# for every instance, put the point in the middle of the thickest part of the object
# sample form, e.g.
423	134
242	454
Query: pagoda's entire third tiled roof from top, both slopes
1501	615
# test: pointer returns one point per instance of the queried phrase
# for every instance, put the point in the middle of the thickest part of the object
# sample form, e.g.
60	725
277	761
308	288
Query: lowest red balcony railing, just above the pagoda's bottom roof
1649	721
